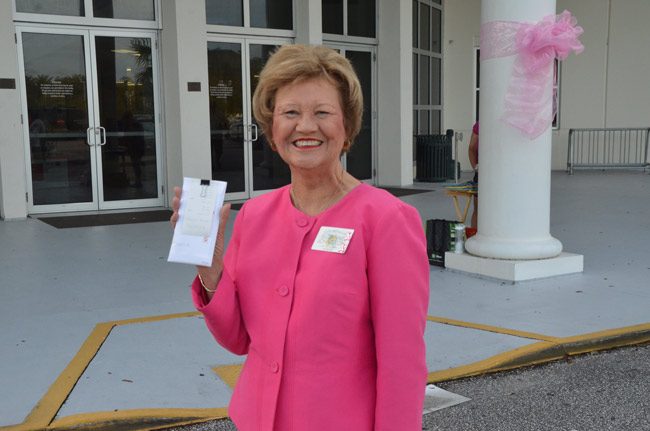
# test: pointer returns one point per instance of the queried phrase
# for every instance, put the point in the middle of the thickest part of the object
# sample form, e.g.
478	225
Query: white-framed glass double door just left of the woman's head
240	152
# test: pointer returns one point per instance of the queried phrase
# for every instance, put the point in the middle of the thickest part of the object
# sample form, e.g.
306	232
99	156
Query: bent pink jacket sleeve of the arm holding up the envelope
222	313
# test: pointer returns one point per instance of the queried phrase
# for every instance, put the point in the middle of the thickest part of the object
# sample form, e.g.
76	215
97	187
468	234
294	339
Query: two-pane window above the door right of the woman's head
349	17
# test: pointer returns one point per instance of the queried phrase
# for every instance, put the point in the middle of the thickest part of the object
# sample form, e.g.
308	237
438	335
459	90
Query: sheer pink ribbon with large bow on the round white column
527	104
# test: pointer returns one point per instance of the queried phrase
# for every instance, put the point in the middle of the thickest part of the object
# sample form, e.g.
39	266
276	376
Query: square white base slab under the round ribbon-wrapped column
515	270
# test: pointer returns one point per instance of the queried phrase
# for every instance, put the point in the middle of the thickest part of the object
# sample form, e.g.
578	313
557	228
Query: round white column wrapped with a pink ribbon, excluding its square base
514	171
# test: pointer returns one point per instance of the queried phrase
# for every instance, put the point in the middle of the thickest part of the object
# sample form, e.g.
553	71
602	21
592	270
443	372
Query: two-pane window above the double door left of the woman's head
268	14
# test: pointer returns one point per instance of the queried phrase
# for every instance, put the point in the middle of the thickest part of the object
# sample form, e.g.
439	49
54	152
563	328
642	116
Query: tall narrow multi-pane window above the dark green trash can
427	66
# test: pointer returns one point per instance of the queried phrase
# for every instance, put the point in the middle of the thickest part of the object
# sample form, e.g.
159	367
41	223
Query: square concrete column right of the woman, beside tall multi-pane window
395	97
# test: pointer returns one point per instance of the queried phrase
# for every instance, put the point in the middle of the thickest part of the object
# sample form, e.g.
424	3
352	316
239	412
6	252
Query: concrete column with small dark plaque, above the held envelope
187	115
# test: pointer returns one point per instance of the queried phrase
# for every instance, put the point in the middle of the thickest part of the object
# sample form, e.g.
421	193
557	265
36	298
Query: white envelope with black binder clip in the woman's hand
195	233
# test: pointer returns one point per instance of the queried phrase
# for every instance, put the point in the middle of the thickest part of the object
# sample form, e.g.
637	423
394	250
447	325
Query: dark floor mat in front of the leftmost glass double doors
107	219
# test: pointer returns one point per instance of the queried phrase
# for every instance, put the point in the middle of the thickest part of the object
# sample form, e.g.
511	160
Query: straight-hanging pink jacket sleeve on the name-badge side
398	277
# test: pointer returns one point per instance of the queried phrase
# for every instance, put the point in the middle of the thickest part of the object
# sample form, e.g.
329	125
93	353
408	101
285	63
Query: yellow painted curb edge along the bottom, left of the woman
136	419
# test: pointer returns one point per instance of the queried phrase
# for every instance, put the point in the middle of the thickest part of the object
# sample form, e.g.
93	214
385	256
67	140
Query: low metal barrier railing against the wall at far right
608	148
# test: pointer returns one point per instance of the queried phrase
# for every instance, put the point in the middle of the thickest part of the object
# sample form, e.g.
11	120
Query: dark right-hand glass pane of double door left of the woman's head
269	170
